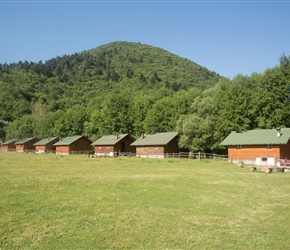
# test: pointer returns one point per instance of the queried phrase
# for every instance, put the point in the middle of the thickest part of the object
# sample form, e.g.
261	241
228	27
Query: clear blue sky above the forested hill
229	37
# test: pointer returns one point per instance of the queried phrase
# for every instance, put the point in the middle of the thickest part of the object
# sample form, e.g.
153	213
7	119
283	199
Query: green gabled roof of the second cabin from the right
156	139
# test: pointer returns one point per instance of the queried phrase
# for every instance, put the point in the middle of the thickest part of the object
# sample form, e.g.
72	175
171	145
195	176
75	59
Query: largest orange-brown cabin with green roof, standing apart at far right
261	147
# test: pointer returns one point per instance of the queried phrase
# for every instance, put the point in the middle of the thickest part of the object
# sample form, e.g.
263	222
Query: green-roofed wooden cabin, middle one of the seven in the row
73	145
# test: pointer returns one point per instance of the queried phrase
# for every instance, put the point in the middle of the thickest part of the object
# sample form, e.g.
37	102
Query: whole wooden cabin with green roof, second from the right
157	145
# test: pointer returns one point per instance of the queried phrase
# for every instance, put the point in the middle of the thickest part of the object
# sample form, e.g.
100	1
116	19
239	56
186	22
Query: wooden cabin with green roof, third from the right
114	144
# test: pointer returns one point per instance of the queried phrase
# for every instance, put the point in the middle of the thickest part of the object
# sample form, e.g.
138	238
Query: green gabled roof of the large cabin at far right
257	137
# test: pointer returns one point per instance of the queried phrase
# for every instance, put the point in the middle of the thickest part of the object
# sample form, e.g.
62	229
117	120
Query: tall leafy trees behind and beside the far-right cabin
259	101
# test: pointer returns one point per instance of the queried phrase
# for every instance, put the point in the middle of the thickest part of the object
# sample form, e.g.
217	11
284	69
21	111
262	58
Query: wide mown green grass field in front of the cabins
74	202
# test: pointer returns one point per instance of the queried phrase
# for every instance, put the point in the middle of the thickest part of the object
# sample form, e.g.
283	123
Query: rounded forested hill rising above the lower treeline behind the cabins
91	79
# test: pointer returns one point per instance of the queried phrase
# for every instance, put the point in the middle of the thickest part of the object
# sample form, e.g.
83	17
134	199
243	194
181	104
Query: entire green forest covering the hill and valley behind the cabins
125	87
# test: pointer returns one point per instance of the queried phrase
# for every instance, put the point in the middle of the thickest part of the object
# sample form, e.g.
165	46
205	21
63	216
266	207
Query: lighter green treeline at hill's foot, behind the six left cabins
125	112
